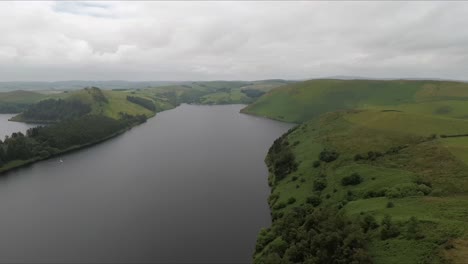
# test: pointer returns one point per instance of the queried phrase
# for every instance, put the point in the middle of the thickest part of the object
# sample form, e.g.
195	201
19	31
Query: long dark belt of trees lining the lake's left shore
44	141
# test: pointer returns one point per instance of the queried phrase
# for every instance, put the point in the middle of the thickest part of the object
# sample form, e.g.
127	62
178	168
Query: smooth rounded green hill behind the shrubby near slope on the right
302	101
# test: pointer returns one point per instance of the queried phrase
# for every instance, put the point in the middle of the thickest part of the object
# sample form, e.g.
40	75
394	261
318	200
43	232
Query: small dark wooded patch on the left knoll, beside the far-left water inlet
52	110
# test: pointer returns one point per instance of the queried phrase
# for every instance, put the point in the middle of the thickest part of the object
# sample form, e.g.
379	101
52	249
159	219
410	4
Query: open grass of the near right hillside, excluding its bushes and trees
443	213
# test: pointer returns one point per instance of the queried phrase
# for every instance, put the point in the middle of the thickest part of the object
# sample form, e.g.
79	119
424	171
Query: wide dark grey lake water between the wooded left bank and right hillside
190	185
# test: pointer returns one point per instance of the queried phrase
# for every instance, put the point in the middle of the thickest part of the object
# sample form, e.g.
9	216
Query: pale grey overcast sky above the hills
48	41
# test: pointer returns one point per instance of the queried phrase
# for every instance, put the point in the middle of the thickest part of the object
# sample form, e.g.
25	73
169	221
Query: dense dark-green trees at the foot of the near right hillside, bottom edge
312	235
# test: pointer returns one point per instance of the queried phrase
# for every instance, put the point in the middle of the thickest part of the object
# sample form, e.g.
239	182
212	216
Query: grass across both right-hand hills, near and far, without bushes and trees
419	110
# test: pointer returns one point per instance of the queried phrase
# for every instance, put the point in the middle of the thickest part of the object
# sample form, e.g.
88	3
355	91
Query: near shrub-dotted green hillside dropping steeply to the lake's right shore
390	173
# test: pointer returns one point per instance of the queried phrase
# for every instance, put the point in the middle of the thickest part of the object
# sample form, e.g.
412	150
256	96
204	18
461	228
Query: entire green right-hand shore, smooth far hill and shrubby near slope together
394	169
